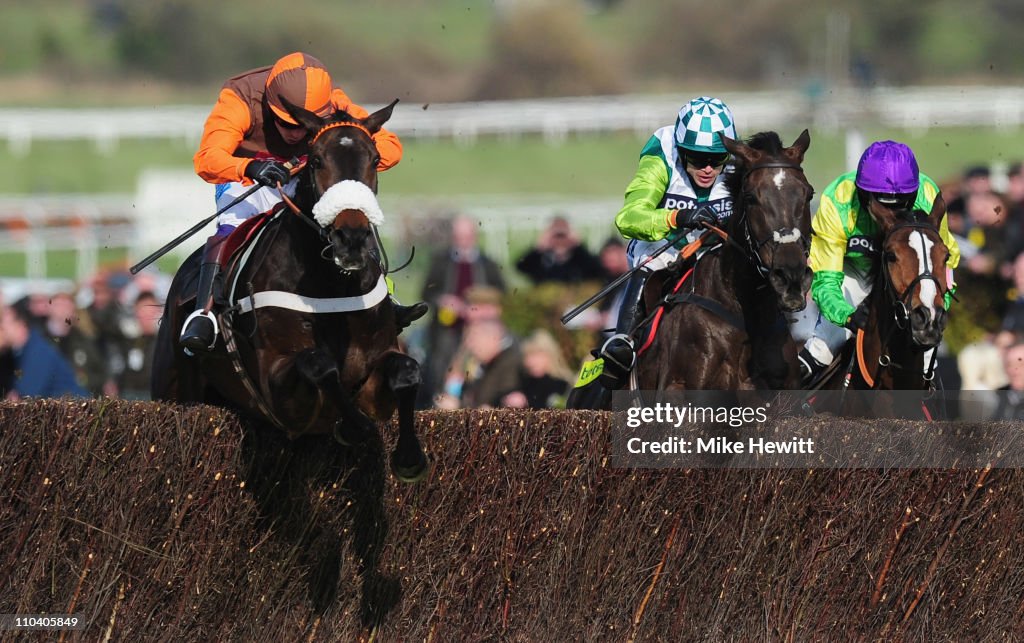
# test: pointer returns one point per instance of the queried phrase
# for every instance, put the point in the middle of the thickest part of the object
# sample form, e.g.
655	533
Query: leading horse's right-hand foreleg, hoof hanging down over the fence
403	377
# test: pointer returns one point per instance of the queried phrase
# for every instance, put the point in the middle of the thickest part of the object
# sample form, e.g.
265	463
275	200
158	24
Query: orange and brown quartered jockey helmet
302	80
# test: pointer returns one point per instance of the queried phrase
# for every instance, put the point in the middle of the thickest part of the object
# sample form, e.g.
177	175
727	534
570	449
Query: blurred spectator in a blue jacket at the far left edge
41	370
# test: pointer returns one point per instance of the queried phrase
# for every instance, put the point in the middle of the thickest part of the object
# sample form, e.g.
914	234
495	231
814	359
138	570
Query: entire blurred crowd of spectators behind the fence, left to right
98	338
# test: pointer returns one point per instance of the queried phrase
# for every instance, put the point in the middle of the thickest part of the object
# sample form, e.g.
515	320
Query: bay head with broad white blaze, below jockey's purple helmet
914	266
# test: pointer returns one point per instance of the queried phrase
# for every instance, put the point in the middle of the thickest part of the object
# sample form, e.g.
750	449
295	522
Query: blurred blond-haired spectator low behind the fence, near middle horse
545	380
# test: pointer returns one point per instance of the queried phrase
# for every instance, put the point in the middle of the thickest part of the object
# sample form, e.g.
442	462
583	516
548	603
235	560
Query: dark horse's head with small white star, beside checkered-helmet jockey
773	208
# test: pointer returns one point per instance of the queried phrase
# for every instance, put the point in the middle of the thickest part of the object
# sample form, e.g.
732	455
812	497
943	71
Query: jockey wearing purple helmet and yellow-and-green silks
844	244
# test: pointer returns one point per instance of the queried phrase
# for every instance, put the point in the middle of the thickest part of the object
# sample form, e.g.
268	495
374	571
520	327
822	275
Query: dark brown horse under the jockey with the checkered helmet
726	329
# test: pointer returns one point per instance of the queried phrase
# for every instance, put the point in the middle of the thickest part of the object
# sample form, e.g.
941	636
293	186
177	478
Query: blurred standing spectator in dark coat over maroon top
452	273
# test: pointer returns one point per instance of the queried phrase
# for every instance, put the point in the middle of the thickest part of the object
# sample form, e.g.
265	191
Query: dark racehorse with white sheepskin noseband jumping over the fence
310	342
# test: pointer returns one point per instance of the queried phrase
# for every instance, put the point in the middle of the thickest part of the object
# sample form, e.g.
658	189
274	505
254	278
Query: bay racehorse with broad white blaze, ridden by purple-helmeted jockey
907	316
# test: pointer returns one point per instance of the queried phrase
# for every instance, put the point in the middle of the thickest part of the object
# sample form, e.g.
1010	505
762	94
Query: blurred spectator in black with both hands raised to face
560	256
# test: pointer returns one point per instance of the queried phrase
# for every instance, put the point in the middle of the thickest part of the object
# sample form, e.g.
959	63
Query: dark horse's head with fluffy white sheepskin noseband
343	172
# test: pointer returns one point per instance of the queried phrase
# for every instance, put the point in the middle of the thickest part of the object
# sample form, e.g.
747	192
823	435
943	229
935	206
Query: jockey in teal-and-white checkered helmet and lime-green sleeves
679	184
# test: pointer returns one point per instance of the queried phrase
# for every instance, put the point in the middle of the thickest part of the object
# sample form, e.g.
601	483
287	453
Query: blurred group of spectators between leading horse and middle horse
472	358
